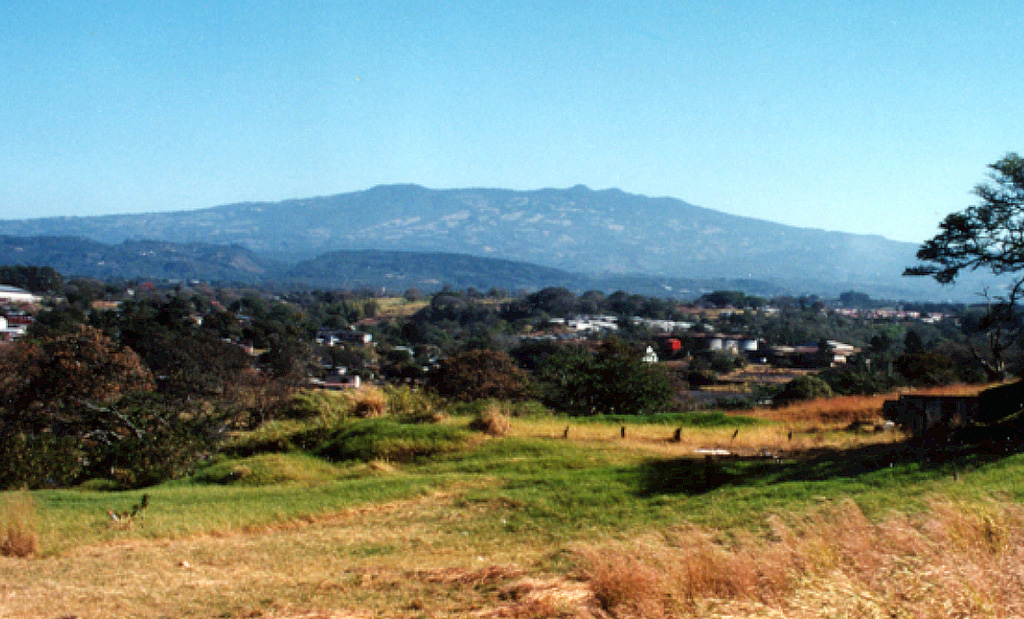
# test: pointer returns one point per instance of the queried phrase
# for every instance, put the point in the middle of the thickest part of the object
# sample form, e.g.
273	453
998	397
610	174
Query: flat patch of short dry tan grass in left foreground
405	559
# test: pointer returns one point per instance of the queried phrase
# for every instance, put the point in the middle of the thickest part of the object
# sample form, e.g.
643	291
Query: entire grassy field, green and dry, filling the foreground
821	512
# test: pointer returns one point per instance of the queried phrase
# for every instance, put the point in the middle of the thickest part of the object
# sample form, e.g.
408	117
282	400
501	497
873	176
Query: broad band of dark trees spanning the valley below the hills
135	385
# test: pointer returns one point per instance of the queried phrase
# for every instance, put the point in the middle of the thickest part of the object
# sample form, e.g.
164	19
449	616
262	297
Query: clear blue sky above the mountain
867	117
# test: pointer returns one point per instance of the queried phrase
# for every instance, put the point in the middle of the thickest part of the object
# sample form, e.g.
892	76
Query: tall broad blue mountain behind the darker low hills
595	233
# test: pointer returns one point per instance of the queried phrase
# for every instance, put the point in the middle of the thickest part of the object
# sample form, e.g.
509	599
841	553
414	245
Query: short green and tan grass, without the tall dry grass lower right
410	519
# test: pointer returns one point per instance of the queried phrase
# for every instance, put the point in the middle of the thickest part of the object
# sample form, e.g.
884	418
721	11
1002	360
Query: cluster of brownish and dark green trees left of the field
138	394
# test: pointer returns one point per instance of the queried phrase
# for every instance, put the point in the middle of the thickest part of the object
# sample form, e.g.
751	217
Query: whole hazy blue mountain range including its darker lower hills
576	237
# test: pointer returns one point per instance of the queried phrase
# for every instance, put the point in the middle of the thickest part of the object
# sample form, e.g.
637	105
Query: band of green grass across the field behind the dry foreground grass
551	490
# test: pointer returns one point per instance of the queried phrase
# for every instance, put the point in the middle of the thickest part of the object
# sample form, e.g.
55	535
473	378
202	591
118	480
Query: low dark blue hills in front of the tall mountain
393	271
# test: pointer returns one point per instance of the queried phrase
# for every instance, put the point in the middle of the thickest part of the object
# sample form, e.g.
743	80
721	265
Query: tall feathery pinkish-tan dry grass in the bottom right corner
958	561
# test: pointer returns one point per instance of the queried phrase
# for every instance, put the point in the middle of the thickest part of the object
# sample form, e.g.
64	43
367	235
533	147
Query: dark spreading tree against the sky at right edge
989	236
